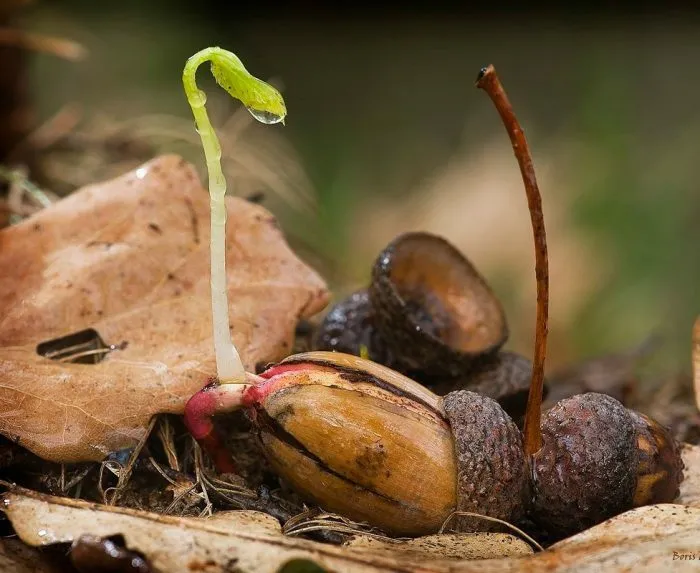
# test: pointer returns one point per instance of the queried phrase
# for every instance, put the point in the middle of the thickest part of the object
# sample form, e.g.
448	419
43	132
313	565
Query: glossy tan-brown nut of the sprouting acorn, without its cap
360	440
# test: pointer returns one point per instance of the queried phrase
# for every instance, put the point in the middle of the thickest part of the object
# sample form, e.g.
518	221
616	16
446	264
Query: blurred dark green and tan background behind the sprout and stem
385	120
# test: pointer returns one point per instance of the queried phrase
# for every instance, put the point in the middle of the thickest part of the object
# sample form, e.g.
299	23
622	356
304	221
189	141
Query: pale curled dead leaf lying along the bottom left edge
185	544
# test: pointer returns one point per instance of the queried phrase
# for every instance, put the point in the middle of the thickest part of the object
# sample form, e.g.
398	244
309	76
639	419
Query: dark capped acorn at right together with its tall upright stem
590	457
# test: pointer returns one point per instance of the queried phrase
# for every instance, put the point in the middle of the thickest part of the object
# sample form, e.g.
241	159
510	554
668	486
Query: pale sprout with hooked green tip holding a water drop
266	105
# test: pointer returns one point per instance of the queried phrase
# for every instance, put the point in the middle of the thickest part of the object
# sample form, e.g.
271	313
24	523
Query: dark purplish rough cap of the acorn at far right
586	469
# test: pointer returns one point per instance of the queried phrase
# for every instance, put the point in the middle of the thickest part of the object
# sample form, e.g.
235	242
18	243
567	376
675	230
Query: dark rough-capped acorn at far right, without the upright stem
598	459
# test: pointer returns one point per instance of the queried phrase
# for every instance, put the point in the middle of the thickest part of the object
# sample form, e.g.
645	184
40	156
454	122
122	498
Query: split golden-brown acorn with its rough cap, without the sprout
364	441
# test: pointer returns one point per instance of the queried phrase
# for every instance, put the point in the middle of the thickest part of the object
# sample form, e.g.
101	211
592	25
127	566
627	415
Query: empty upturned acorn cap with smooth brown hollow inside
434	310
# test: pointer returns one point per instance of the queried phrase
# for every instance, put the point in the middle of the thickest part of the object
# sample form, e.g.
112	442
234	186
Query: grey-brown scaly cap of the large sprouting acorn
492	473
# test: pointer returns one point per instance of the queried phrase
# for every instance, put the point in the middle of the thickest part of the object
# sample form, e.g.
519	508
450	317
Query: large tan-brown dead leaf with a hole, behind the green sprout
129	258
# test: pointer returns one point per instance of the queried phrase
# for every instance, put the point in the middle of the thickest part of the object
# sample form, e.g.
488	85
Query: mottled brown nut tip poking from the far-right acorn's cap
660	466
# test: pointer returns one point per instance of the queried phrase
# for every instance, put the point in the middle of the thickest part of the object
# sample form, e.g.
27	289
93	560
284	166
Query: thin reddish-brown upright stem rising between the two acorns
489	82
